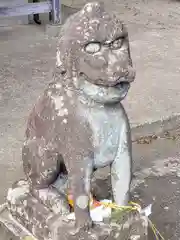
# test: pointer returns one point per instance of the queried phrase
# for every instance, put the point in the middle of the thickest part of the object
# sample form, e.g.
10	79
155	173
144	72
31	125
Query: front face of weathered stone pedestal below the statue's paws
131	228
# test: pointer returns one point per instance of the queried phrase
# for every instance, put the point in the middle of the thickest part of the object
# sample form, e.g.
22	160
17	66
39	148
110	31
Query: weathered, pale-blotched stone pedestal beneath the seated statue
44	224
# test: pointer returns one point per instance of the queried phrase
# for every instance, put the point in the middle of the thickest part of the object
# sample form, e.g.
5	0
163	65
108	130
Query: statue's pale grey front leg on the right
121	168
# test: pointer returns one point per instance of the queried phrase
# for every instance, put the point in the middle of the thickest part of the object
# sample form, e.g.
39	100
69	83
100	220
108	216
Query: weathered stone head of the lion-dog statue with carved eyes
93	53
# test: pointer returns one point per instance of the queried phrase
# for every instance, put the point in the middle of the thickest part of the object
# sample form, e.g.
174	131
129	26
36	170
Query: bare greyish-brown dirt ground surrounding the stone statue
27	57
